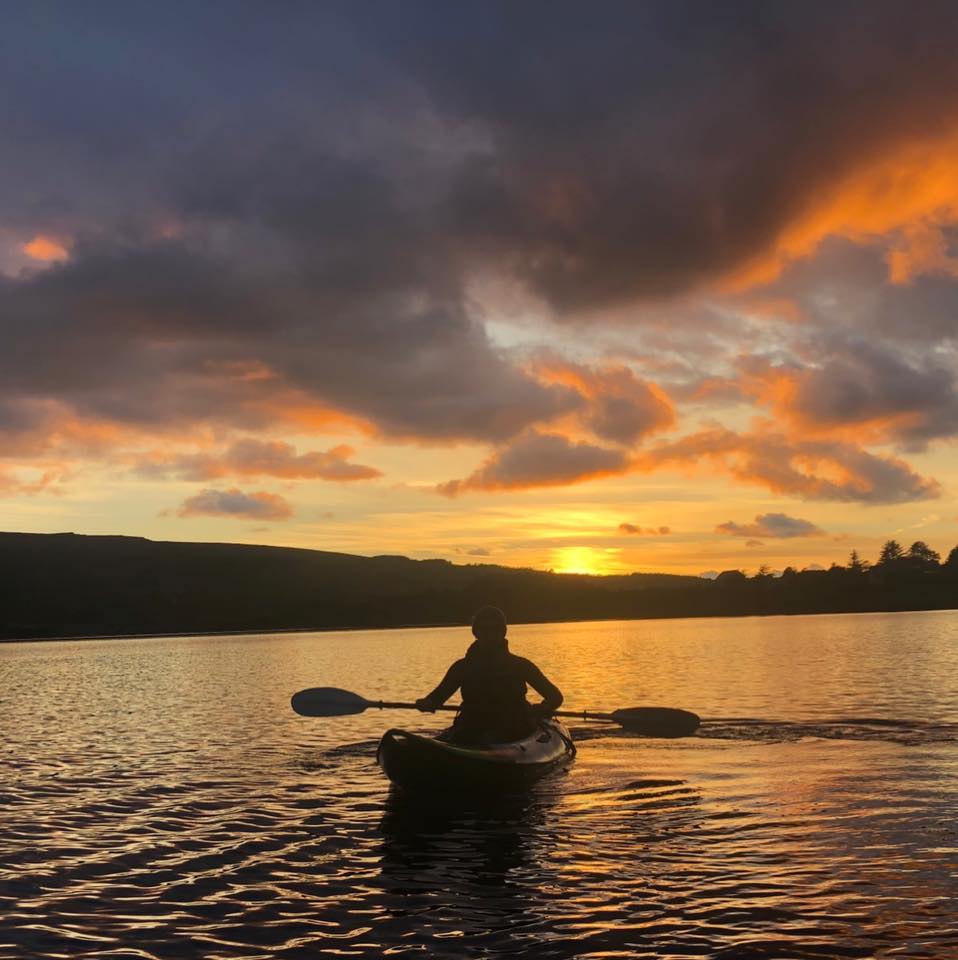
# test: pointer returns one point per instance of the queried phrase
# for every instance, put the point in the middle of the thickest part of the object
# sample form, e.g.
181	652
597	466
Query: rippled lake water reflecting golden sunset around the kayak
158	798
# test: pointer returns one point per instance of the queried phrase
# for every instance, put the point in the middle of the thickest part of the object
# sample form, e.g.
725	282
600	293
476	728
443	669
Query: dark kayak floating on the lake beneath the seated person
415	762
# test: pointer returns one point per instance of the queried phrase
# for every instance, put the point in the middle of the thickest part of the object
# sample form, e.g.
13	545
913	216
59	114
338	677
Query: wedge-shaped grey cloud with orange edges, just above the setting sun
540	460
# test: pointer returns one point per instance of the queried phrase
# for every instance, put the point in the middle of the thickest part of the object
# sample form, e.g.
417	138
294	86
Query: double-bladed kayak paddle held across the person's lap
648	721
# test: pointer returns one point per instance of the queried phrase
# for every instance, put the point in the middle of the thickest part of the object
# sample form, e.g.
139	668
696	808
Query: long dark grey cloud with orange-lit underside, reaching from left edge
164	334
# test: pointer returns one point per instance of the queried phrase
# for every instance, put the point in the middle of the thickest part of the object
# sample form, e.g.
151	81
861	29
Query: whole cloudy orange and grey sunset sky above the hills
653	286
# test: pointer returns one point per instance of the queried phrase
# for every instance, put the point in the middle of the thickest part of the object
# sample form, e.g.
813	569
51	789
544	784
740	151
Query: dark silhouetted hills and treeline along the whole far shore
65	585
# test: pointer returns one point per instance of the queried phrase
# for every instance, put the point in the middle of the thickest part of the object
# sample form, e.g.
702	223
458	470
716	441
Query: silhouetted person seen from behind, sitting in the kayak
493	683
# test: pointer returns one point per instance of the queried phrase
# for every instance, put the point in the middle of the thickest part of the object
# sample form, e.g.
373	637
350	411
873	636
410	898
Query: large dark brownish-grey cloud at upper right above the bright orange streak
642	148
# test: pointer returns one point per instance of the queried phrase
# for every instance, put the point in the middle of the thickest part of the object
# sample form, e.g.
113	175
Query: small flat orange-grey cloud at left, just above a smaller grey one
251	457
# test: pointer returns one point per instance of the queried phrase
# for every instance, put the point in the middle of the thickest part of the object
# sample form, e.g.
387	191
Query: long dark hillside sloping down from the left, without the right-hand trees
70	585
